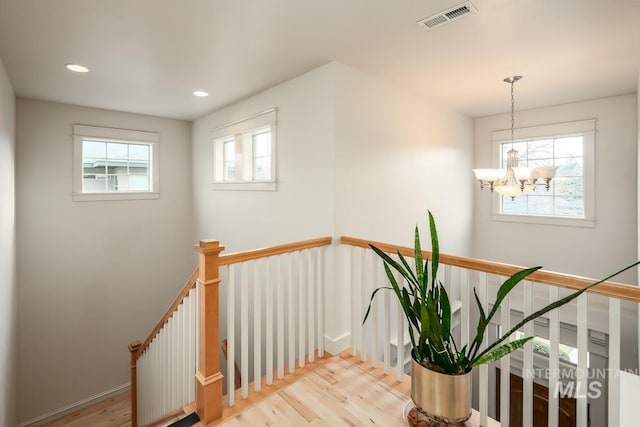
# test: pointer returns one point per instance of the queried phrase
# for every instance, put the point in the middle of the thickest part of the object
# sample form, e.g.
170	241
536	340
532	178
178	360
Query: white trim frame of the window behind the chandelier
586	128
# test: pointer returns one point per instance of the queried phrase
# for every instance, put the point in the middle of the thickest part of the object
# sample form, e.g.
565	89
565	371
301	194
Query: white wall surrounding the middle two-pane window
302	206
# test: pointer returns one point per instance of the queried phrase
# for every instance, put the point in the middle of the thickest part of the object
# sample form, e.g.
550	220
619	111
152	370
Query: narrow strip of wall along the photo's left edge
8	284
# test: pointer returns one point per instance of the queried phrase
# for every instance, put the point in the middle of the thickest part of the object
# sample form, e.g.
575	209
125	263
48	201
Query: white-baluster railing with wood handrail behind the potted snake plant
595	316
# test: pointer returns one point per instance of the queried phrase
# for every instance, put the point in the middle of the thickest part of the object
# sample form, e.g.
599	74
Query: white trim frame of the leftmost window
97	133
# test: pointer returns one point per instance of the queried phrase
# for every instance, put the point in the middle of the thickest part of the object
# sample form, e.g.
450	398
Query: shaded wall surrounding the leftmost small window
93	275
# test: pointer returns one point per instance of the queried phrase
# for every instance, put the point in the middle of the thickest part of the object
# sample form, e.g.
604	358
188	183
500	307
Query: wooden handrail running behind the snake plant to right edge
608	289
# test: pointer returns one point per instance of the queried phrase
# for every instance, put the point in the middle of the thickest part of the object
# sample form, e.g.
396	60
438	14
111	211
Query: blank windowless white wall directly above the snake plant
397	156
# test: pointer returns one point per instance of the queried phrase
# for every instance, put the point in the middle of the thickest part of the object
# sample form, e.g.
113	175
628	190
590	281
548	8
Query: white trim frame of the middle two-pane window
264	119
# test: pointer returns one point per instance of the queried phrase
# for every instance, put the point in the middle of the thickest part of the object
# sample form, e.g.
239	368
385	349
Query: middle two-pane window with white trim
244	154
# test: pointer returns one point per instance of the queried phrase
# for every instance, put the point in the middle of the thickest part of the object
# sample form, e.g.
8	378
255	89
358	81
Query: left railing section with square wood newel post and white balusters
179	362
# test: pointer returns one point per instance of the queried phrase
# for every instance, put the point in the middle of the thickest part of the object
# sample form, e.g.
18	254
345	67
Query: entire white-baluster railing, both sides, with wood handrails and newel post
270	305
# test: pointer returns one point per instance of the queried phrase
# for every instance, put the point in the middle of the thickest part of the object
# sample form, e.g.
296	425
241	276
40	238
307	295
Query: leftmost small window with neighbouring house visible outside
114	164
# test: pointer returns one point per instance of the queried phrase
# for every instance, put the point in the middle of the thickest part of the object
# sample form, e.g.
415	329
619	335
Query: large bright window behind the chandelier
569	199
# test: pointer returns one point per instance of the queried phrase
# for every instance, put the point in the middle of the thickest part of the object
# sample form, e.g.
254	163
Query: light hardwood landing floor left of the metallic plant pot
340	392
